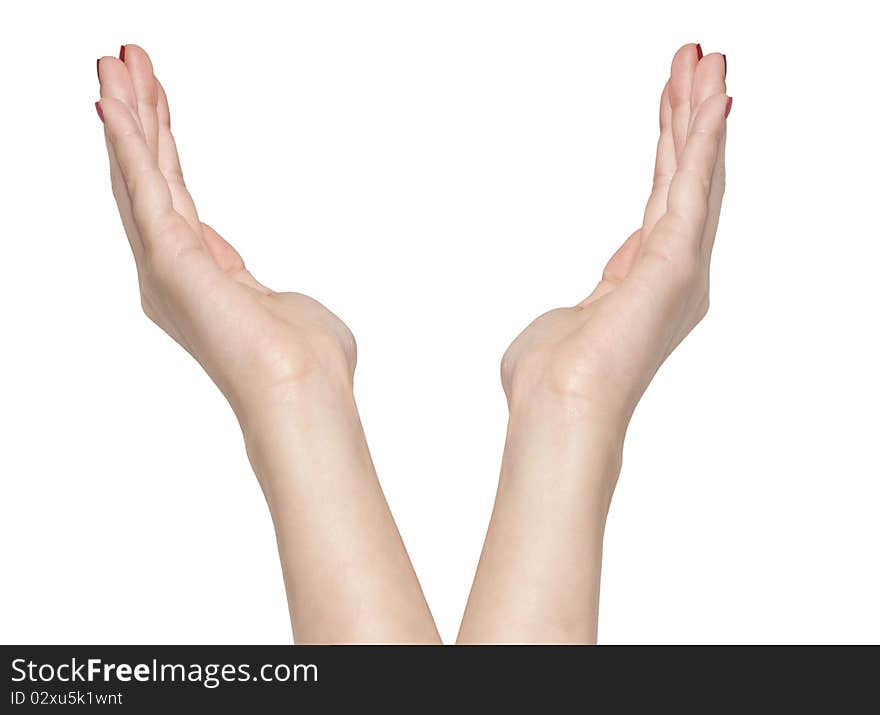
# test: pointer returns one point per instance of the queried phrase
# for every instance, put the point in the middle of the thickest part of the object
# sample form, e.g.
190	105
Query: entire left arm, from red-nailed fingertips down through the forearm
285	363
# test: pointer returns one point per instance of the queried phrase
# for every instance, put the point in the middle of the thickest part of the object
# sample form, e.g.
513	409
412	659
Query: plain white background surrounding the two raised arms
439	174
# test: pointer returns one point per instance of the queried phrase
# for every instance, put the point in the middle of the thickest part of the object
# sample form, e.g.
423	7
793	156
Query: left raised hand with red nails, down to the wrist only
253	342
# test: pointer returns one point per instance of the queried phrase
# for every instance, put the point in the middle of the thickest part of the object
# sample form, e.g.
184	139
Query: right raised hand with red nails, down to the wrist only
603	352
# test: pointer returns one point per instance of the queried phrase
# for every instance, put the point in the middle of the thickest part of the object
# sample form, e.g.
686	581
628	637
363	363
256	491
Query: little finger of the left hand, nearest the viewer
144	184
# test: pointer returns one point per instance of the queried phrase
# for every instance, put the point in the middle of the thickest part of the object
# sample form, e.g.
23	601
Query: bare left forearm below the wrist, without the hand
347	574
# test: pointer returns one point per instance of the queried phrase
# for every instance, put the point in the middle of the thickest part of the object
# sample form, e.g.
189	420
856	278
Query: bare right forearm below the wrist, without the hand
538	578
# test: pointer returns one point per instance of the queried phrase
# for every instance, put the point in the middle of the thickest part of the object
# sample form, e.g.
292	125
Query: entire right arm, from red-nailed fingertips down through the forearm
574	376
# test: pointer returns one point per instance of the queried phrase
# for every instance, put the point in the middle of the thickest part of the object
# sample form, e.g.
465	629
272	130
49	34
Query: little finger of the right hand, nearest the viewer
688	201
